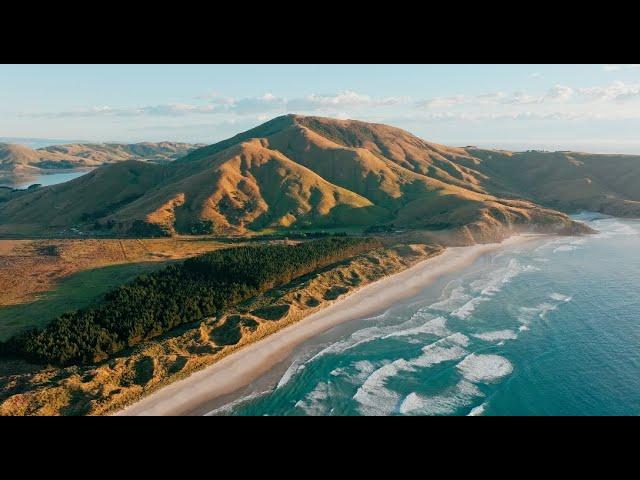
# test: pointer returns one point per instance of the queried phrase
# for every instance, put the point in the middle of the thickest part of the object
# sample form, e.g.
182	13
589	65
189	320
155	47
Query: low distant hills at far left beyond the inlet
18	159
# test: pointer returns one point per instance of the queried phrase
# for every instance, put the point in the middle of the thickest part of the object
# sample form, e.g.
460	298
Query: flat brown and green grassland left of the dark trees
40	279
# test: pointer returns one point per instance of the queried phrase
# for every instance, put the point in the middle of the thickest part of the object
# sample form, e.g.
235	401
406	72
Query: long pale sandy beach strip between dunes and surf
247	364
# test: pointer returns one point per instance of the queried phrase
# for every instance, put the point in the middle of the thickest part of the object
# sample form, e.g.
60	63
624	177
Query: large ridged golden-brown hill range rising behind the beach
297	171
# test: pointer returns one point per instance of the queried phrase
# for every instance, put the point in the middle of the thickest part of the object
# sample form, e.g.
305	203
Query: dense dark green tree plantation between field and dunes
155	303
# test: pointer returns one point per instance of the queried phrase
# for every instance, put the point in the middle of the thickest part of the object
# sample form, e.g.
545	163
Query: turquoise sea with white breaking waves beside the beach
547	328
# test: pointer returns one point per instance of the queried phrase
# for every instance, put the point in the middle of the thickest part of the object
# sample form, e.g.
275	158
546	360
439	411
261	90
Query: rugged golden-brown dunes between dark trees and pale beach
94	390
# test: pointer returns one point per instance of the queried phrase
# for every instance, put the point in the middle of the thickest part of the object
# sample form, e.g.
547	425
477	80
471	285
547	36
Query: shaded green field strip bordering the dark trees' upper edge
74	292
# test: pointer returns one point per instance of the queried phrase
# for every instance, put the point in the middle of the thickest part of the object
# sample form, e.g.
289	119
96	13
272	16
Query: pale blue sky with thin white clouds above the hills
593	108
